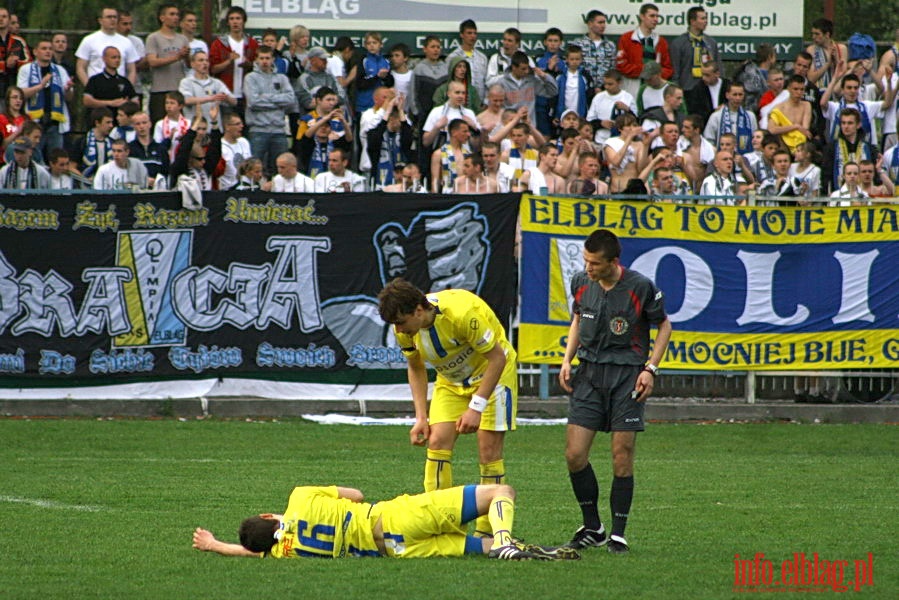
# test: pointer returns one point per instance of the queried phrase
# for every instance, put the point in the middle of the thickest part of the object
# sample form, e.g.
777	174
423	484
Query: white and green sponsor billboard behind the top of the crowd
737	25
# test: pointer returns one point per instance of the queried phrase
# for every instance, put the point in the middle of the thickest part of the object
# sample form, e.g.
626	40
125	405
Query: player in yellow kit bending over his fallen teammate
477	383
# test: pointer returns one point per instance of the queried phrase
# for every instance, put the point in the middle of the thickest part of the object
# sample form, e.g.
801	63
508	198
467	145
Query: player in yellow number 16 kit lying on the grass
335	522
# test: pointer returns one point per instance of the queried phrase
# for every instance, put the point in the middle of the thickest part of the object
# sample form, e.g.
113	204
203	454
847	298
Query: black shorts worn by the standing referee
603	398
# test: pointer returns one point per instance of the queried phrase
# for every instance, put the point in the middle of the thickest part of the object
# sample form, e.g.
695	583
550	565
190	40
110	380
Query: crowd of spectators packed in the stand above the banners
588	115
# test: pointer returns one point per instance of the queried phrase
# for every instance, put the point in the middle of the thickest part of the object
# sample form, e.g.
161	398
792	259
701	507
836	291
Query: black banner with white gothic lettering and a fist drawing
107	289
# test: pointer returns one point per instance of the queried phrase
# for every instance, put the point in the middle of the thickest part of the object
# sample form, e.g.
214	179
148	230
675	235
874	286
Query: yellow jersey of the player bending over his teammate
465	328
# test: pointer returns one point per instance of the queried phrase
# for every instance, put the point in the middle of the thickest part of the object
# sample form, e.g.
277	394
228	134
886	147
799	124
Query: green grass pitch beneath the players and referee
105	508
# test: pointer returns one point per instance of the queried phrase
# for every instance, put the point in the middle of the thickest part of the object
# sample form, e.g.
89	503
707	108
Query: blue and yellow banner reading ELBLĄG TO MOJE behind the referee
746	288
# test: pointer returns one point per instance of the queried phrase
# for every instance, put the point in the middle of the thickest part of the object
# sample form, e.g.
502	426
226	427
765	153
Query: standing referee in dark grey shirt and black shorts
612	312
